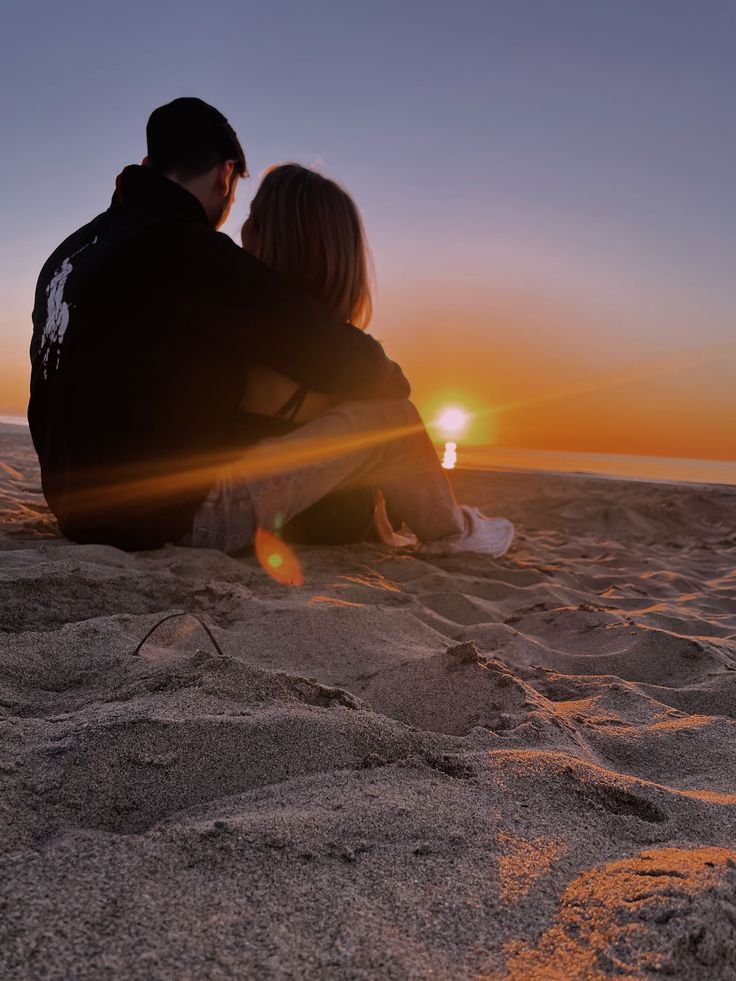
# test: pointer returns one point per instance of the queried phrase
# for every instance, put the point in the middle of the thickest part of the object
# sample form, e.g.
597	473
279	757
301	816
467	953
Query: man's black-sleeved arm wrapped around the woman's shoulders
285	329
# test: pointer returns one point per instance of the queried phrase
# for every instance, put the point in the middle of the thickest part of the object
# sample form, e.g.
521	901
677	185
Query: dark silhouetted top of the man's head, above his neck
188	137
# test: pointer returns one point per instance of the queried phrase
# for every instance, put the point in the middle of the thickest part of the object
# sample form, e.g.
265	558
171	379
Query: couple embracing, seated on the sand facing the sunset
187	390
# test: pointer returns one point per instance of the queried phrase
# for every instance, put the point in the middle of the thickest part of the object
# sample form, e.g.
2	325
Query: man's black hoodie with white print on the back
143	324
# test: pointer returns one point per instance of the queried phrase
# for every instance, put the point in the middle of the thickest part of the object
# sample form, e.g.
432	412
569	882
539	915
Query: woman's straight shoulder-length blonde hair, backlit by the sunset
309	230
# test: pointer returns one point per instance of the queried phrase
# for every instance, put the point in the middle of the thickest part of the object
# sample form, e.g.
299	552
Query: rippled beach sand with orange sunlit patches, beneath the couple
411	767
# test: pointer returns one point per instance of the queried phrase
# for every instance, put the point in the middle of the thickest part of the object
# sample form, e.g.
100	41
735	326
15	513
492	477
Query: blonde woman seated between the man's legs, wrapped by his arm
309	230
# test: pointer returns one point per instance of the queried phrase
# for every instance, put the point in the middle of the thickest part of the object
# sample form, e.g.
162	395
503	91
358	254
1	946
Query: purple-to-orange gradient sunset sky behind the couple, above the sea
547	185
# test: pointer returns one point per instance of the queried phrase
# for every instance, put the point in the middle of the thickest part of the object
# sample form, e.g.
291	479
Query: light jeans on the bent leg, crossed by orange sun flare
383	444
